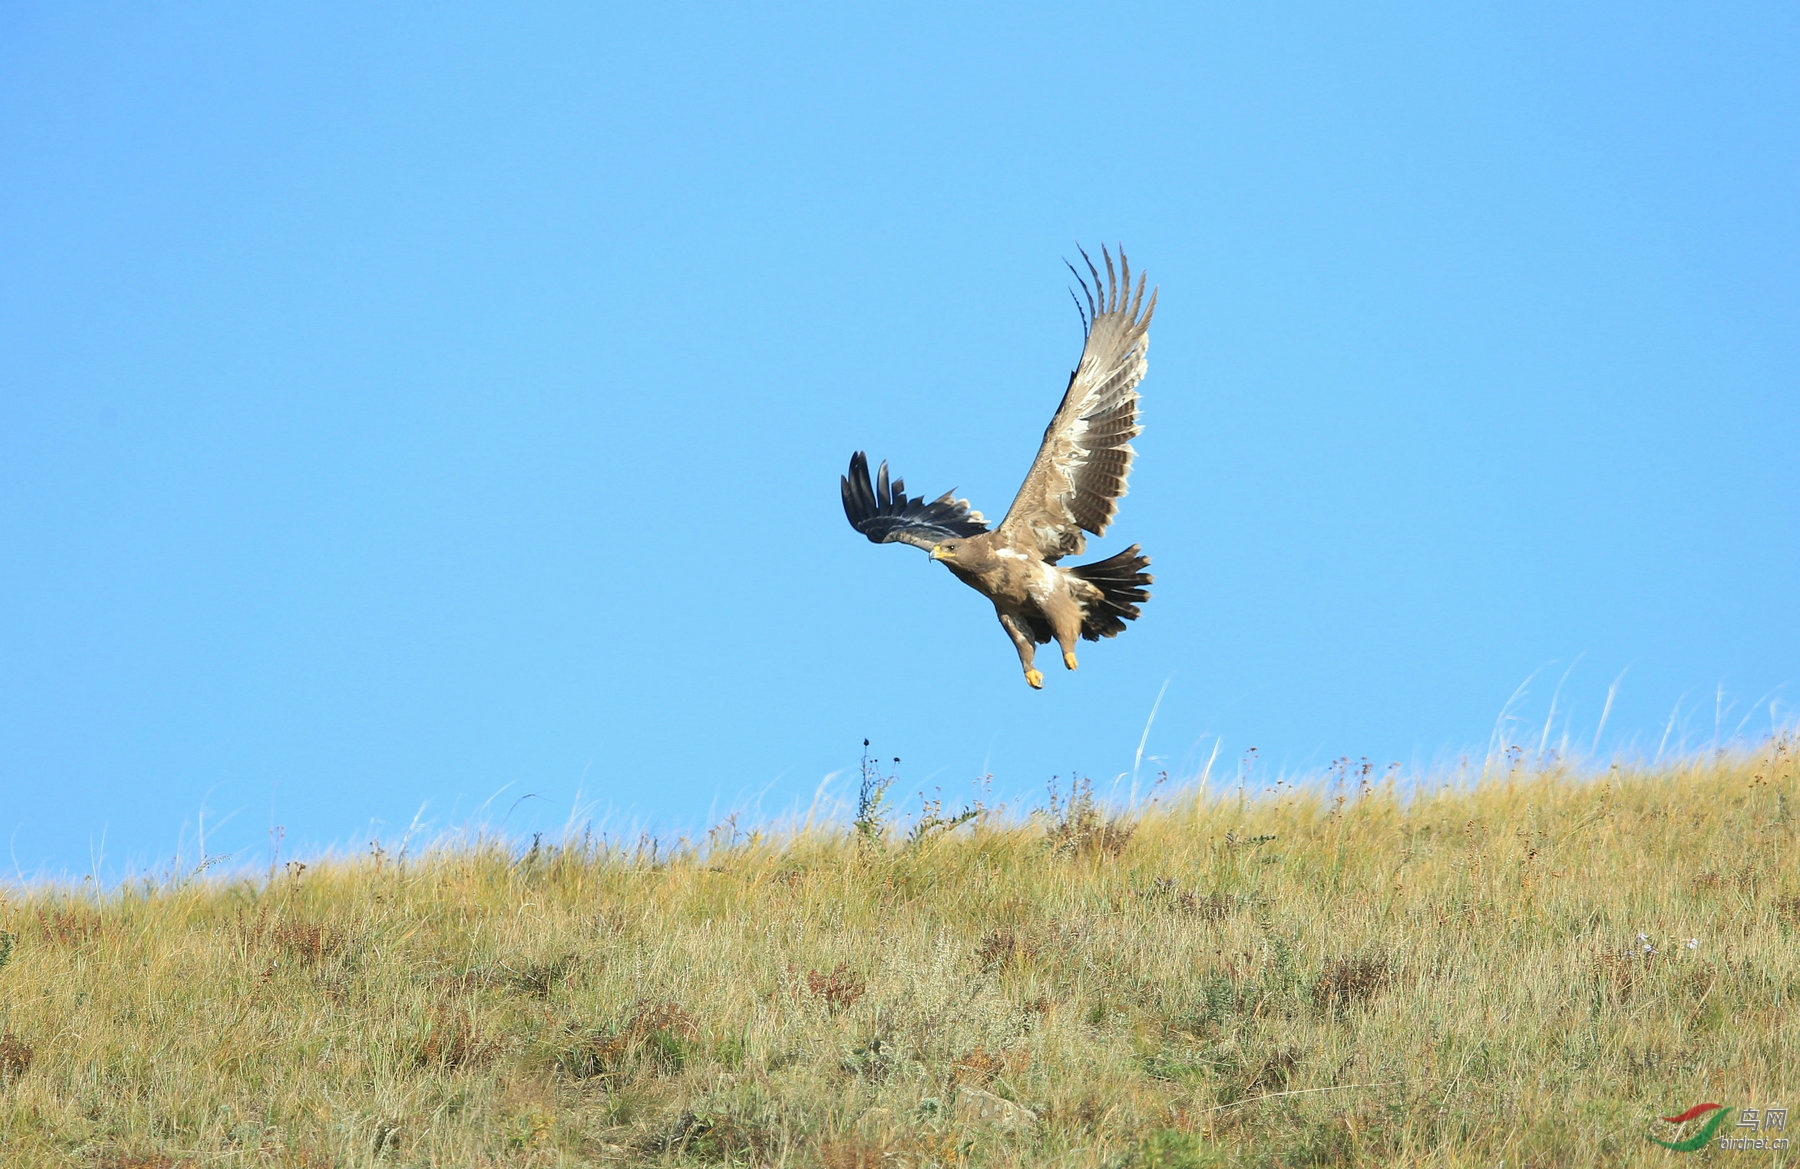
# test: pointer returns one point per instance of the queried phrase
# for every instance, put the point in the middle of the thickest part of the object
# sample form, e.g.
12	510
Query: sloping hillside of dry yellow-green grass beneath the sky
1531	968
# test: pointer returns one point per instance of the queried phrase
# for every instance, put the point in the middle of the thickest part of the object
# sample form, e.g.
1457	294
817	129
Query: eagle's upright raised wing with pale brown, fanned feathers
1081	469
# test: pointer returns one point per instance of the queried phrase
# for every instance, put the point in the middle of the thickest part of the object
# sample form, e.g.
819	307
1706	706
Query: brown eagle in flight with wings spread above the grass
1074	487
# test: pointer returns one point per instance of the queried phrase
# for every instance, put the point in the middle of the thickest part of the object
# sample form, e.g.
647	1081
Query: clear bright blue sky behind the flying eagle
402	403
